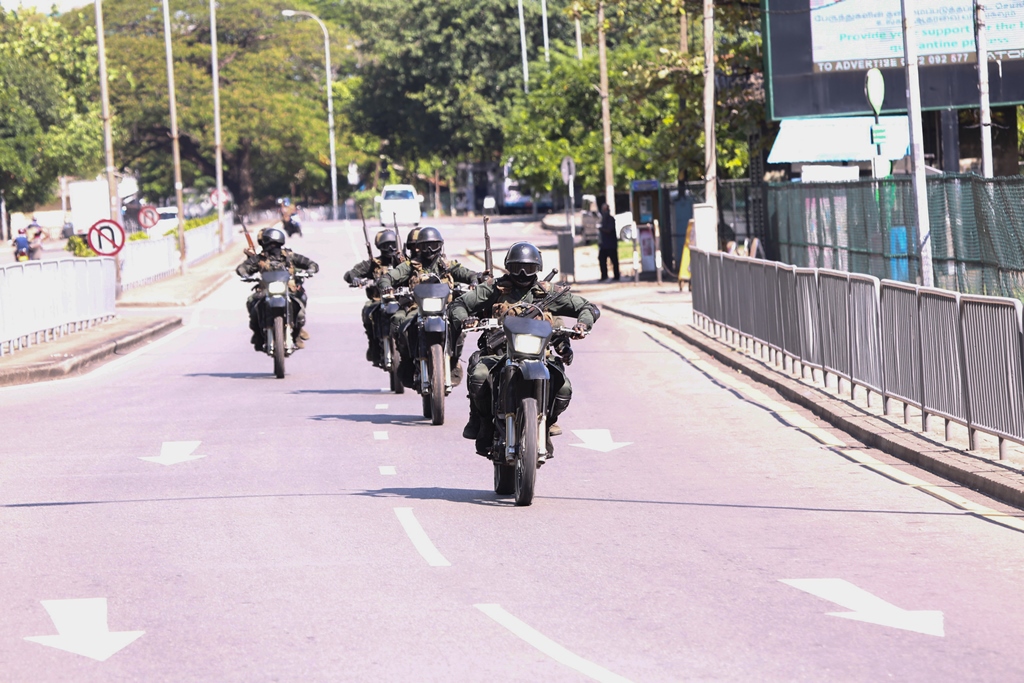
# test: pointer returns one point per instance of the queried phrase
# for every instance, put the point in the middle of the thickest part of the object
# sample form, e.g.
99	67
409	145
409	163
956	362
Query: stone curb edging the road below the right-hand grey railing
982	475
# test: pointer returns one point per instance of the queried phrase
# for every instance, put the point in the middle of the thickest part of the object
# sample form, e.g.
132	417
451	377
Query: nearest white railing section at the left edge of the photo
44	301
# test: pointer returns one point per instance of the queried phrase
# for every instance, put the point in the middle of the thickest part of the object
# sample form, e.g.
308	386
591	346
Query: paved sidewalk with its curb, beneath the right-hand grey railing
979	469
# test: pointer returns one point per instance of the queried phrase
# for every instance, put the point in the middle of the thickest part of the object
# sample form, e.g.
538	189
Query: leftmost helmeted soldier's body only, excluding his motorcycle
274	257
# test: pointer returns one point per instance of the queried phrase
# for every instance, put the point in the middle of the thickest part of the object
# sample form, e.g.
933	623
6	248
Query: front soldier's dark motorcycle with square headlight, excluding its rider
521	394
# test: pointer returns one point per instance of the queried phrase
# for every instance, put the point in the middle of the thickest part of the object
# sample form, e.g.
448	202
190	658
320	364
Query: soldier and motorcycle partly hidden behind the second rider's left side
381	350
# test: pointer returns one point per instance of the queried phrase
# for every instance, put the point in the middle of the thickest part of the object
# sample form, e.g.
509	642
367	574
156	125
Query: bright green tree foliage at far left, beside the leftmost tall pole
50	121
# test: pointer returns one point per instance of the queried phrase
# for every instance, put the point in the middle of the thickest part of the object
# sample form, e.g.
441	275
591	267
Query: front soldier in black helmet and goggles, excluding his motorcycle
513	294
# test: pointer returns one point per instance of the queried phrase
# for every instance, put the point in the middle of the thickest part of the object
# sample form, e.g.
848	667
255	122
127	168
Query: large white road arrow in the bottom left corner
82	628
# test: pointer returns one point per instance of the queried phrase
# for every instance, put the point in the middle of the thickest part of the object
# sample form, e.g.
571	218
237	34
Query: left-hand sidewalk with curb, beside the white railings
76	353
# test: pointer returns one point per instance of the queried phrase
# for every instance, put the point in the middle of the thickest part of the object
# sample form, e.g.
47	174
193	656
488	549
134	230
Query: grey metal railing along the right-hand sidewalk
955	357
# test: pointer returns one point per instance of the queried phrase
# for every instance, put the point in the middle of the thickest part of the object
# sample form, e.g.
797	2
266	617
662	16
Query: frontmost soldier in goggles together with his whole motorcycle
518	383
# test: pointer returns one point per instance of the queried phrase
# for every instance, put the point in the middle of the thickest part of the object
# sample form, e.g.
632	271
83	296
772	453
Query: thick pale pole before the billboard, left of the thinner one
917	141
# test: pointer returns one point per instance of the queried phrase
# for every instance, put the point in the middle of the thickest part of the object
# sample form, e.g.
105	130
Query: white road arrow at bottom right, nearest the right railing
867	608
